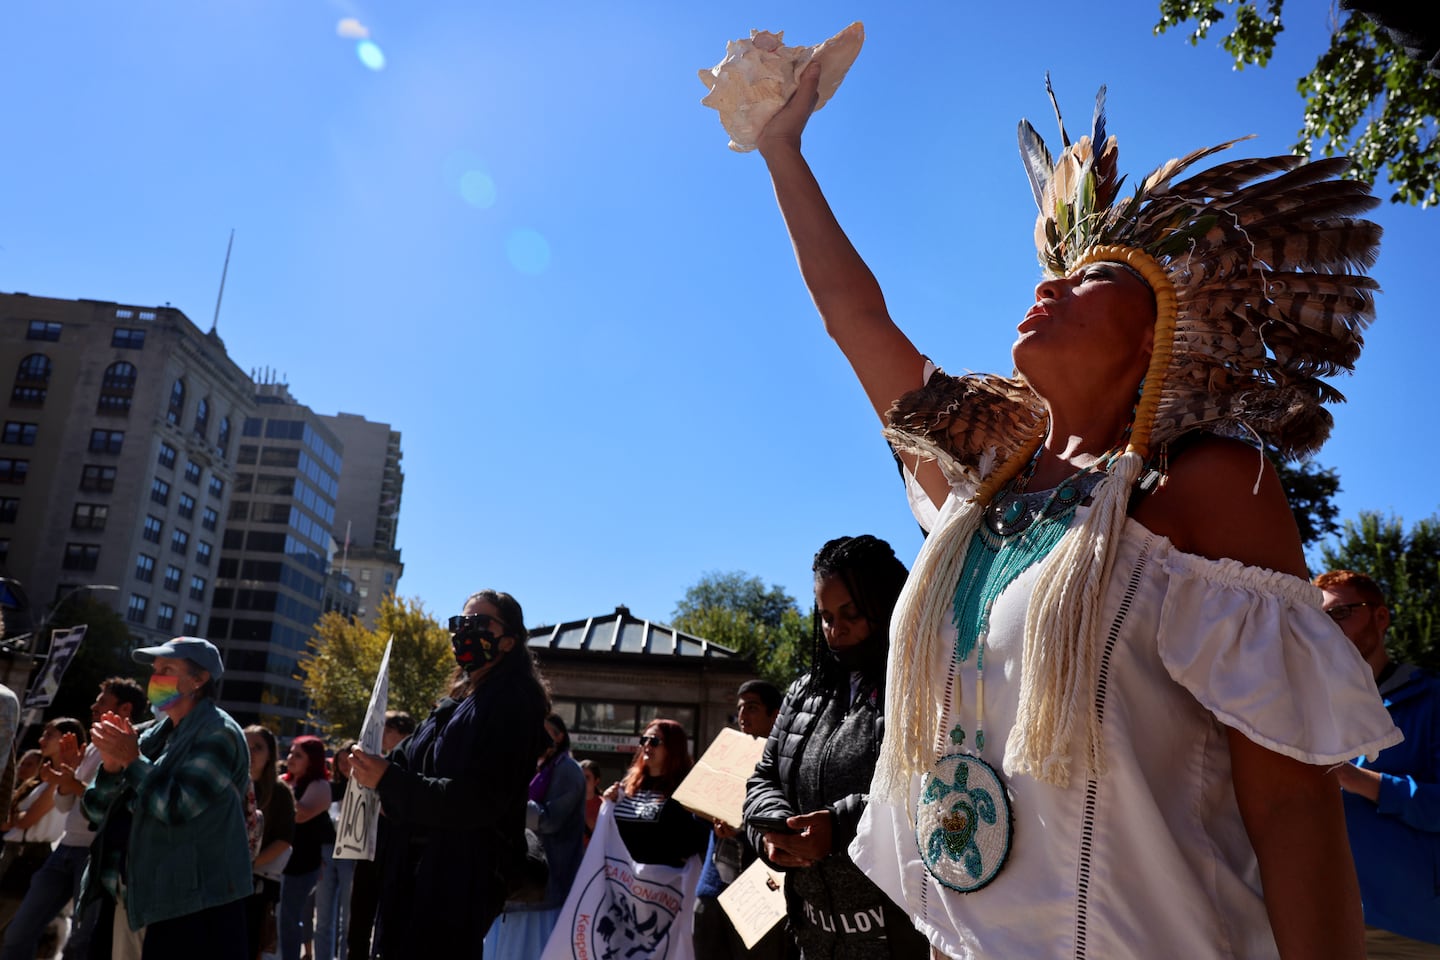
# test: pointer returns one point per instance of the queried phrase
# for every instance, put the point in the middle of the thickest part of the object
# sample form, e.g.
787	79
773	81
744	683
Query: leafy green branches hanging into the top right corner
1366	96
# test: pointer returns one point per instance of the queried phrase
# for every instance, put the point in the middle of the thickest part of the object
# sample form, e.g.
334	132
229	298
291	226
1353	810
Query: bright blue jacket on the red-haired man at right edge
1398	841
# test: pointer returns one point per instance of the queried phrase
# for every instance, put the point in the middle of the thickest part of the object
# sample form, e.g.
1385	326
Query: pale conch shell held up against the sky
758	76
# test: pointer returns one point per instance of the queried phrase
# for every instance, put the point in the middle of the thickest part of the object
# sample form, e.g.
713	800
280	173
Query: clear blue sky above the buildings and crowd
523	243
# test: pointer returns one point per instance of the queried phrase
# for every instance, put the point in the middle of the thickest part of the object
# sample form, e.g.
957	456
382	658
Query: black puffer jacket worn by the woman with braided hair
822	756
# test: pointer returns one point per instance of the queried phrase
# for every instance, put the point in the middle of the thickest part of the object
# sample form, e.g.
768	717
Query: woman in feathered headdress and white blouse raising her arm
1114	699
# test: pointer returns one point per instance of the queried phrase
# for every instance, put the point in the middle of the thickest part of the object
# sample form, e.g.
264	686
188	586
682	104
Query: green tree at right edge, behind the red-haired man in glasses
1406	565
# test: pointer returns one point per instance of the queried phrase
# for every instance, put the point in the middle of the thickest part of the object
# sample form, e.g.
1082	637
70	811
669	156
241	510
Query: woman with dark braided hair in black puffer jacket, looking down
809	791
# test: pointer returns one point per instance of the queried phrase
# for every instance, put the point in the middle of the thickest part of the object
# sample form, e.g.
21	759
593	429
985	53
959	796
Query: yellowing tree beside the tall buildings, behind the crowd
343	661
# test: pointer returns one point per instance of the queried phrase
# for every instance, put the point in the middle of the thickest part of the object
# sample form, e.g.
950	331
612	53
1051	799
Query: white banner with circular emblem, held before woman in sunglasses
623	909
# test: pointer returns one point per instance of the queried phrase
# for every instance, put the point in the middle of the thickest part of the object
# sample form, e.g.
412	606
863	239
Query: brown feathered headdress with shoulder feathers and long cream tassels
1255	271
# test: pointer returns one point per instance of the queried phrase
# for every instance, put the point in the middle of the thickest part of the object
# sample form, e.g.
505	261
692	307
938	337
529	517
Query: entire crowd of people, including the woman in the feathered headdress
1105	712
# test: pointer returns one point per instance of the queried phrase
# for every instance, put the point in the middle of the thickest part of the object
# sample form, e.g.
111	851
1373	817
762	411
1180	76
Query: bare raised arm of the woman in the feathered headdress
845	290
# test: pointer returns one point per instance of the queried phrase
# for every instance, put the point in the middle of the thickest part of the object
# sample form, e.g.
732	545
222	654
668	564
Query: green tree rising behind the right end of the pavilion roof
762	624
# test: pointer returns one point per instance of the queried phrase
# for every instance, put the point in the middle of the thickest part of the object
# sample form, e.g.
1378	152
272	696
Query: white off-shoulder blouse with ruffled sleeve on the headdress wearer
1151	860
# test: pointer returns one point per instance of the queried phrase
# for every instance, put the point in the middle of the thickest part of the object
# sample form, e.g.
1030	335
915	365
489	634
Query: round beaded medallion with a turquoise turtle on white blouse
963	823
